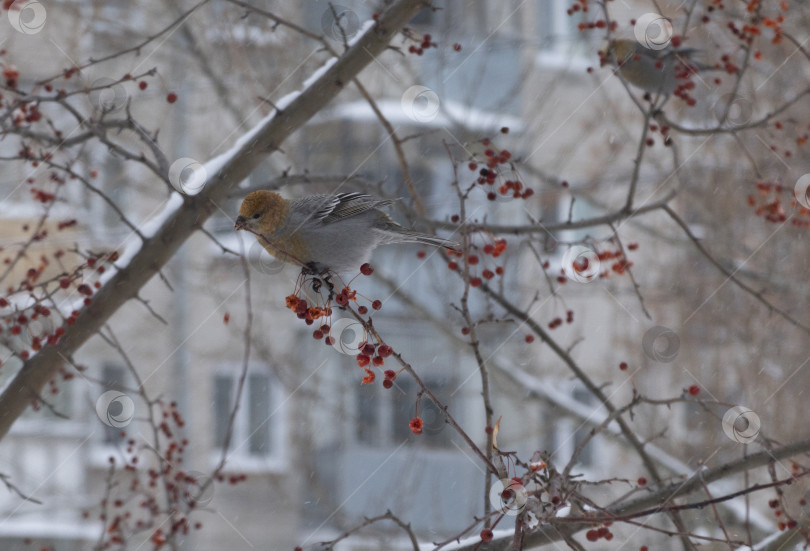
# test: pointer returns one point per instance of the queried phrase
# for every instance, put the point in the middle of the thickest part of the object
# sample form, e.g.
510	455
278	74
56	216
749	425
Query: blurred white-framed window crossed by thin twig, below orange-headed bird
257	428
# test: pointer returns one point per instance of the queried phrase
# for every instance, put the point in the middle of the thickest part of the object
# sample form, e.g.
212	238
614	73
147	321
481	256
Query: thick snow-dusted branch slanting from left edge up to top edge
157	250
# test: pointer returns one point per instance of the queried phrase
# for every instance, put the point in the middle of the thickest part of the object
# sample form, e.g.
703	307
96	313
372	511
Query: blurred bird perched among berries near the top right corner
654	71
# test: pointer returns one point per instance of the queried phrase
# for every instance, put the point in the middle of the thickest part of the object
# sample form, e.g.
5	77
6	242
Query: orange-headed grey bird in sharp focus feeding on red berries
325	233
